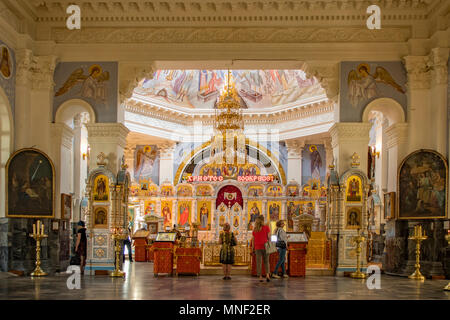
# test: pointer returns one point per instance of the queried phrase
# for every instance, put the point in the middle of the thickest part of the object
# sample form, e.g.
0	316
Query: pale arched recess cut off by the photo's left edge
6	145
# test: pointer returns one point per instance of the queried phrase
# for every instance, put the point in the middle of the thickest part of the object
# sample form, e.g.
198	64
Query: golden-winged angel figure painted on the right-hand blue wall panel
362	85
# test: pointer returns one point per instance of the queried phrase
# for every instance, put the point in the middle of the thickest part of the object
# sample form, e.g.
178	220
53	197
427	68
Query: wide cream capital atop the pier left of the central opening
108	133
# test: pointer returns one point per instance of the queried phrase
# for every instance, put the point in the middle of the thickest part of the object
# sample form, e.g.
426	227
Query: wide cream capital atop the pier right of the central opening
349	131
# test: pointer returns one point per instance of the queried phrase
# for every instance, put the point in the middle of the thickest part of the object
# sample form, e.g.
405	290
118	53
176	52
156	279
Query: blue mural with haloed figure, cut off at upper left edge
8	74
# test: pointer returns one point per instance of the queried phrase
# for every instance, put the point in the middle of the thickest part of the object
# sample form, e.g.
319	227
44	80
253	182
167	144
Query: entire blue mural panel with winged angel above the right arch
361	82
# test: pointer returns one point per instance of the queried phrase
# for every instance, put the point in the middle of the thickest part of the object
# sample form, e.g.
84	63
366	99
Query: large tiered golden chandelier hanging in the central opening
228	142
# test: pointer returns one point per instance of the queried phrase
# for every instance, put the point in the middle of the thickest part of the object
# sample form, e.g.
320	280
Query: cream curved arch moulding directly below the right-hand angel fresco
390	108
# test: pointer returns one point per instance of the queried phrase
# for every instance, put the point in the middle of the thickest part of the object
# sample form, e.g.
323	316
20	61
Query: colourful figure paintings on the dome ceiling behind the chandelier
200	88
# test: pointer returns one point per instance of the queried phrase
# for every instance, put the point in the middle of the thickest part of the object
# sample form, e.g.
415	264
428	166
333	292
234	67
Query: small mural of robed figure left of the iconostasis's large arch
146	163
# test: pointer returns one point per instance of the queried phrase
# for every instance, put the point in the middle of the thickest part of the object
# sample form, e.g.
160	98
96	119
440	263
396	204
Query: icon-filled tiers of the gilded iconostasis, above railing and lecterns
210	205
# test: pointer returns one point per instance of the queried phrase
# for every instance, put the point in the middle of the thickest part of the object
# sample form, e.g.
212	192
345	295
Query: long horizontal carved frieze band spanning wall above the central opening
229	35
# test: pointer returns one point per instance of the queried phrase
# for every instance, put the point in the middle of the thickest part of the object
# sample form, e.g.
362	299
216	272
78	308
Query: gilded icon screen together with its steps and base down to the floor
201	209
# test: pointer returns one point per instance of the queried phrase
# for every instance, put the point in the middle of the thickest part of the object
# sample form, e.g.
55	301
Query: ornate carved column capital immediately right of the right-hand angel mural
418	72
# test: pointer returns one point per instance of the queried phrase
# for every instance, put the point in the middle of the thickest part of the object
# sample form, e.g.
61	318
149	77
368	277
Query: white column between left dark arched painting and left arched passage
62	141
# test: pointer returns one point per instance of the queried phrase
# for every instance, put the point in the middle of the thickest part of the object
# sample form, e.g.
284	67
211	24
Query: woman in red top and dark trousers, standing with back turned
261	235
